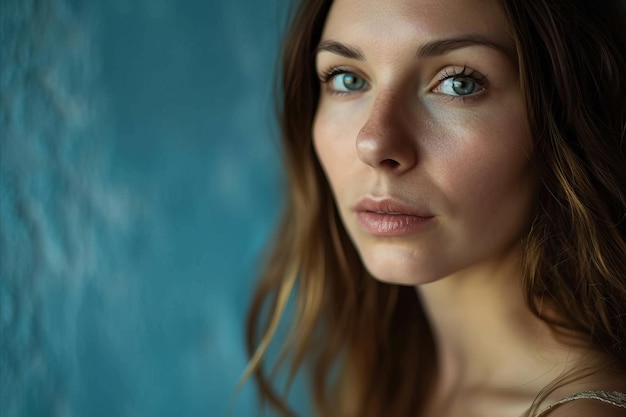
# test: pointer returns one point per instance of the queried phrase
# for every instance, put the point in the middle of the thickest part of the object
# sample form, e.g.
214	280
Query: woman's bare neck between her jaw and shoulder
487	339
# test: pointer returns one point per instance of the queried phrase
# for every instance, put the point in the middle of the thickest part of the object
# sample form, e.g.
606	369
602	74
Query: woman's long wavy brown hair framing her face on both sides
368	344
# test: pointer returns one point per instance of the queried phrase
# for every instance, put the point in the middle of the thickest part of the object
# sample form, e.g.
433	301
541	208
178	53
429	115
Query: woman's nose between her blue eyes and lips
387	139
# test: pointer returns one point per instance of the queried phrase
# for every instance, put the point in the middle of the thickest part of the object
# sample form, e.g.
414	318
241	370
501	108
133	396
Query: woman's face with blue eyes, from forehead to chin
422	132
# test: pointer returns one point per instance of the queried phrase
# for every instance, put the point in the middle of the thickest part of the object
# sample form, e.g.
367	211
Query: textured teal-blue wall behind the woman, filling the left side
140	178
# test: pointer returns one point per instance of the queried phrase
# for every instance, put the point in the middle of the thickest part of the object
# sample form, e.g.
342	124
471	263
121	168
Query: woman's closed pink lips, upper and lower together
391	217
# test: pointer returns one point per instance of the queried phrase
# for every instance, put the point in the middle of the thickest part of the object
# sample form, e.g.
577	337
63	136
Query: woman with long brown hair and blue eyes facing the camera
455	232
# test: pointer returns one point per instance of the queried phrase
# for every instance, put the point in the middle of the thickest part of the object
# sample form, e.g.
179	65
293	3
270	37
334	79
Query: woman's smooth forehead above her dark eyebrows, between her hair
384	22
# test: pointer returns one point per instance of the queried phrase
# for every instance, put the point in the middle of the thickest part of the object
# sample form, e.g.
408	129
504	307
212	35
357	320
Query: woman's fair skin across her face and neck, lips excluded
390	125
